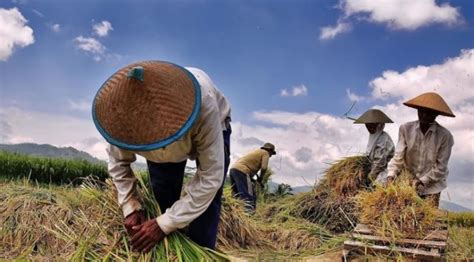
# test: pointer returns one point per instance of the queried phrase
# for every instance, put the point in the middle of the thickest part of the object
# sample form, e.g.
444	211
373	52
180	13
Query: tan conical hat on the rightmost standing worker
431	101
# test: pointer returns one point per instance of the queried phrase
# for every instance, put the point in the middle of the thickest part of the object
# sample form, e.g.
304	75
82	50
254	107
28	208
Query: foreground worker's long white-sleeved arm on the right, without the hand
202	188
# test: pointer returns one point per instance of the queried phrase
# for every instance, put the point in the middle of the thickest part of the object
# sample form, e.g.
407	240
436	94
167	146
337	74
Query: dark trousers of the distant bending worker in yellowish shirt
243	188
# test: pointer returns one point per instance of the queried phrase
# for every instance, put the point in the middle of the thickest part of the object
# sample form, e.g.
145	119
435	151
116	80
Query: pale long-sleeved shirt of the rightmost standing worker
424	155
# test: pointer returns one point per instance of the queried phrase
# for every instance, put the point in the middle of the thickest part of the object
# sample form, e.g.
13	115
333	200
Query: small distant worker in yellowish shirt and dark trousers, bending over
245	169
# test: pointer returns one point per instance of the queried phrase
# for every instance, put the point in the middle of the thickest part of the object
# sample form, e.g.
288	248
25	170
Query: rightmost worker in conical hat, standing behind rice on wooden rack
424	147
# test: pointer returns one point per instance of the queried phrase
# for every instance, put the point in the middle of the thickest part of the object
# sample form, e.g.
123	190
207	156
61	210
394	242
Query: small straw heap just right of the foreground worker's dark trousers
236	228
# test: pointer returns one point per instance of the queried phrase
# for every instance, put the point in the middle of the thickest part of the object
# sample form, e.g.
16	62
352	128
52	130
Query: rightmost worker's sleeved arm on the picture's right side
440	169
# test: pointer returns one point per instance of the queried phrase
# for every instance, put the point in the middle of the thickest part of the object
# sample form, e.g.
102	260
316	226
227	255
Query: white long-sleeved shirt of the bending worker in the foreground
203	141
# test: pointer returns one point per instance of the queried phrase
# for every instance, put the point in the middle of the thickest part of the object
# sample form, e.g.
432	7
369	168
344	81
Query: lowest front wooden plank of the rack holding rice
409	252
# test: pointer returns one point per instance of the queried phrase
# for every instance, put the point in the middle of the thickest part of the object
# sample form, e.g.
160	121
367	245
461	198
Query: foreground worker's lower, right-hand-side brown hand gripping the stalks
147	236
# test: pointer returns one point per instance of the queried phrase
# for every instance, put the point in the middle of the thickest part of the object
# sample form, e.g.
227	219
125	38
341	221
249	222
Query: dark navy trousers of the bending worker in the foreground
167	182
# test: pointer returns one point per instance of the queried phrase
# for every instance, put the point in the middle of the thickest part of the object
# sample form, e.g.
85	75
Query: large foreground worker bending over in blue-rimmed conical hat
166	114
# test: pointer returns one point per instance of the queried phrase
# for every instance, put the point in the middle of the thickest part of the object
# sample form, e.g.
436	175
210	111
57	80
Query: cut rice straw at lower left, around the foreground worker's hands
37	224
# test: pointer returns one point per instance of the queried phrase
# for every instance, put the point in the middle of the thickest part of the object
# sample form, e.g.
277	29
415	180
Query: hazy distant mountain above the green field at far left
46	150
